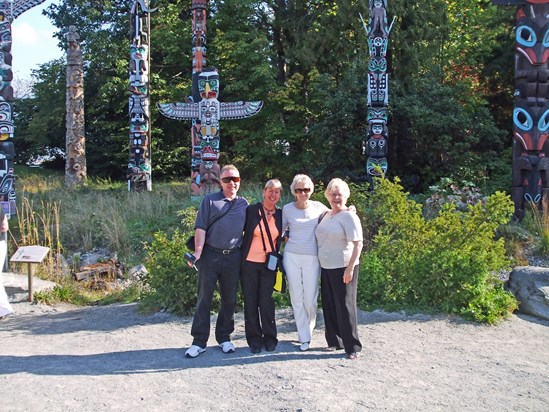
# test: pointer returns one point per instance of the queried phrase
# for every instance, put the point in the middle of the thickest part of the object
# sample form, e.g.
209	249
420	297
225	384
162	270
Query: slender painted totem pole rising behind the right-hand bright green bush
377	132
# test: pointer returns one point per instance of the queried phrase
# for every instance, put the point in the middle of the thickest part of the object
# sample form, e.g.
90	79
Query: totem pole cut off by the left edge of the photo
9	11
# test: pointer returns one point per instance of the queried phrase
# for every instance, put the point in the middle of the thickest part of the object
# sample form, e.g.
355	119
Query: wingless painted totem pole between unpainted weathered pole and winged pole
139	165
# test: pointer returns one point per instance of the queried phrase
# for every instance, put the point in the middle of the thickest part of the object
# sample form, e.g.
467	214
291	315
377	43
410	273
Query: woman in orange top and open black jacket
256	279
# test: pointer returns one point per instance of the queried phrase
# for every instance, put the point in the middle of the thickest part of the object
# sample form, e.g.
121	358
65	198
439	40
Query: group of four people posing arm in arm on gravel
232	242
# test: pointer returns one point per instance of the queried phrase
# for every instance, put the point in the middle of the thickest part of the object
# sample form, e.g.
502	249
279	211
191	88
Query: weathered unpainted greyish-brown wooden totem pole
75	164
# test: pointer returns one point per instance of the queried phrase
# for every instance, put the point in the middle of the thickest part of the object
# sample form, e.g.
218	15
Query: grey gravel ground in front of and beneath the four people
113	358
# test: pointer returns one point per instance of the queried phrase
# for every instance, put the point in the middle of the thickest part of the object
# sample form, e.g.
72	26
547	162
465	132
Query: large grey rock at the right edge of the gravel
530	285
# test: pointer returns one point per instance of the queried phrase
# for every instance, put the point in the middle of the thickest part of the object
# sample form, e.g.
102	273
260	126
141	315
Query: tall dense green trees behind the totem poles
451	86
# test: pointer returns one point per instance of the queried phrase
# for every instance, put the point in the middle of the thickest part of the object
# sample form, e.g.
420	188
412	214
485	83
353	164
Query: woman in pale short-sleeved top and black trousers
339	237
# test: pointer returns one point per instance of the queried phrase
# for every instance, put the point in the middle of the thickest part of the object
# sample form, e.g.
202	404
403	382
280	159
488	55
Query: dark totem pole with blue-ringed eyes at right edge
530	182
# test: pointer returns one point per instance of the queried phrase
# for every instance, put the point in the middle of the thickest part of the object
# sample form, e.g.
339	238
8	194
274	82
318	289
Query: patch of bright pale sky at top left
32	41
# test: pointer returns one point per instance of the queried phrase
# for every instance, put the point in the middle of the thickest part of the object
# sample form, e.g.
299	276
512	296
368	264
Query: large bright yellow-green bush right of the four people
448	263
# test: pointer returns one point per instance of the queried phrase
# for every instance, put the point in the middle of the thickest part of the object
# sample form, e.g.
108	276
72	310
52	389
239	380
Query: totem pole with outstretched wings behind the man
205	111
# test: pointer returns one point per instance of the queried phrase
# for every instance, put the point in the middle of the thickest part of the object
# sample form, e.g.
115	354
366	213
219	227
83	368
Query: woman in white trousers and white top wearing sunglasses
301	256
